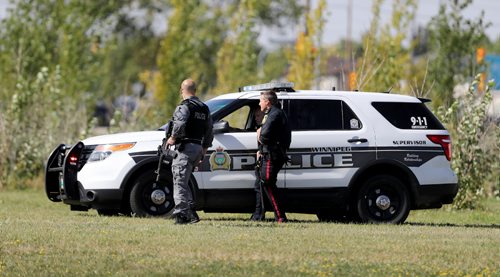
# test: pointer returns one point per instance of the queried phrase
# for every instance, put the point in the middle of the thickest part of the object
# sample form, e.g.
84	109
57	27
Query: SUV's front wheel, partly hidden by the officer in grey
151	199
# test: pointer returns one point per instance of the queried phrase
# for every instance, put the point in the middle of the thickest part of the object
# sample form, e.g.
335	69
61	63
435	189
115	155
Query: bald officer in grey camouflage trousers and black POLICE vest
192	135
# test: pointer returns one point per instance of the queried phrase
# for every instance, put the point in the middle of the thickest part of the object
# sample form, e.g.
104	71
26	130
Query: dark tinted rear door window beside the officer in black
312	114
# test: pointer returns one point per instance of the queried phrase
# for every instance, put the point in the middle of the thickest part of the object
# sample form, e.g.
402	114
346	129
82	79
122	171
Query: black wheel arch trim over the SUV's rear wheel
389	167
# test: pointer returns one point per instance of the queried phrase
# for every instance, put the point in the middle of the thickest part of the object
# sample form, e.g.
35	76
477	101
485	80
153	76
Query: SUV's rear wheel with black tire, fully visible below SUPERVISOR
383	199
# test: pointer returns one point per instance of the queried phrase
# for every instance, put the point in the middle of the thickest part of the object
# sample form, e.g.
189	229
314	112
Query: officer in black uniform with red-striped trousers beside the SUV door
274	139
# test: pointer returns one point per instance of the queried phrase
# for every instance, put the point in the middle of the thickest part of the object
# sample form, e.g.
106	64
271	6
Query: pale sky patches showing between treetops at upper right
337	17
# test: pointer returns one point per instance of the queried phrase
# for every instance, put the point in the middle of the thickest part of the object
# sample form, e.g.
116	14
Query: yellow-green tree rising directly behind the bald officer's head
188	50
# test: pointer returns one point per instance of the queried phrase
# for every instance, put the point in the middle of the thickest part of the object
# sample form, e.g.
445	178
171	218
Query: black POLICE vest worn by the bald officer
198	118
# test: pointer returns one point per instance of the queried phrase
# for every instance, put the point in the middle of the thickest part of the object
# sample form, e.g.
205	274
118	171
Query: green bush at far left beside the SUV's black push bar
37	119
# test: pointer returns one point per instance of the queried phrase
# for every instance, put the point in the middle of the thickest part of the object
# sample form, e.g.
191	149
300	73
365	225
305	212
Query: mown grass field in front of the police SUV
41	238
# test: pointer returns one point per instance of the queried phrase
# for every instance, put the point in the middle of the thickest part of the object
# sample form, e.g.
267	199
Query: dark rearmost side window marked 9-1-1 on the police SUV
408	115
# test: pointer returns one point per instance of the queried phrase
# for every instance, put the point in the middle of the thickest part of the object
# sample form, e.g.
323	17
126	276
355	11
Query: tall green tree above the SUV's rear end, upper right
454	41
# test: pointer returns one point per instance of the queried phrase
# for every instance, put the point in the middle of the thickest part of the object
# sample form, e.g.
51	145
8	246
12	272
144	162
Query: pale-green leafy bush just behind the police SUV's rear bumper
474	159
